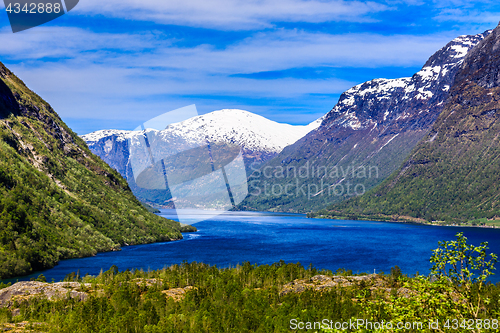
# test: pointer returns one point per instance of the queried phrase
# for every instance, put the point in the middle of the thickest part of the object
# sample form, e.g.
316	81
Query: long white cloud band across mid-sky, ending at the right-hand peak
277	50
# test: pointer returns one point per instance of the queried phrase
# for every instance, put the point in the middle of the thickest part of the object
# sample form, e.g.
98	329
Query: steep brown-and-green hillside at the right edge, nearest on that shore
454	172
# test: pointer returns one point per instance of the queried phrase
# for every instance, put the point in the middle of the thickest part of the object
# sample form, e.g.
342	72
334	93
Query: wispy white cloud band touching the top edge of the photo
232	14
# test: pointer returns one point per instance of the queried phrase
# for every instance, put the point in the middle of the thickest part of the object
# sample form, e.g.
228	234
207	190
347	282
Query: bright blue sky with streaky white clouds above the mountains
118	63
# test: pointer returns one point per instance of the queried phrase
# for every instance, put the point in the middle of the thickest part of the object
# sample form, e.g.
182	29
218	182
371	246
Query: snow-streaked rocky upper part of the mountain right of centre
383	102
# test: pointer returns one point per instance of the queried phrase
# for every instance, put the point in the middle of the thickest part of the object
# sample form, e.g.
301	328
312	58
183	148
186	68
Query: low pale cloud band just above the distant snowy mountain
118	89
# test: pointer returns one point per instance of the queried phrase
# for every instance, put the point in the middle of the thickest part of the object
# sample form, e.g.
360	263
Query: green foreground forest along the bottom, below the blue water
282	297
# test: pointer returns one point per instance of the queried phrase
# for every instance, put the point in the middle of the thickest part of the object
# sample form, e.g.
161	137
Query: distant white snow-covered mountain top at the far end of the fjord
259	138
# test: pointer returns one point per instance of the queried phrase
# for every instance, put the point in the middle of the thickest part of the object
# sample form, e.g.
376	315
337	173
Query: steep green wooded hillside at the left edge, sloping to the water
57	199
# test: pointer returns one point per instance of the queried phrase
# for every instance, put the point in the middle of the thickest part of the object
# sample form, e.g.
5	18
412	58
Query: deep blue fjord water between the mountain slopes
265	238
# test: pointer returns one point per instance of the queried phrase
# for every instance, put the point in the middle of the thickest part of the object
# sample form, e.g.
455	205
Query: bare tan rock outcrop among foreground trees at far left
26	290
